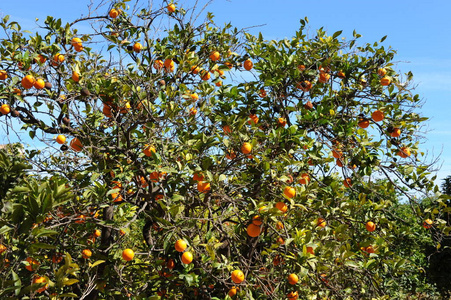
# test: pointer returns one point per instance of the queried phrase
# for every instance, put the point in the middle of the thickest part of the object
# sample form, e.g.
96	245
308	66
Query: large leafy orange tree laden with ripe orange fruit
200	161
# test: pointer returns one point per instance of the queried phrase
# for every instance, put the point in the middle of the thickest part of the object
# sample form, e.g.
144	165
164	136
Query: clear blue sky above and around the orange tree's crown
420	32
